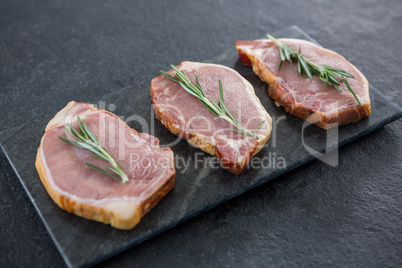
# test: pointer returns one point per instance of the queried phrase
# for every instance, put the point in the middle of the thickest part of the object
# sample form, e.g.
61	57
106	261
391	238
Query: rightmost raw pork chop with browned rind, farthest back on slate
300	96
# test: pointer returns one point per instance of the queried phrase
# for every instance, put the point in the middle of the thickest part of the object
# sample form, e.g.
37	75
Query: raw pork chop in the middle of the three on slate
186	117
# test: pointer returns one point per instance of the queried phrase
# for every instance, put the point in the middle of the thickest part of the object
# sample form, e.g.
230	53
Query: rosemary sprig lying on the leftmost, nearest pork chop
86	140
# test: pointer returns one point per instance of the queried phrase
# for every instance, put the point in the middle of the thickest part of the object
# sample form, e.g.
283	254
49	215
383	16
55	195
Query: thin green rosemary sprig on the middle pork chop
217	108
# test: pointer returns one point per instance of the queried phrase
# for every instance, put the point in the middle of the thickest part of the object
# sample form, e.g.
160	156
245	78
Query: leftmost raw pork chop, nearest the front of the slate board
91	194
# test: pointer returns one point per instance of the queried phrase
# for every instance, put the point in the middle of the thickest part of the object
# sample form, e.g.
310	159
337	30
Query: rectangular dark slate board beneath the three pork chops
198	187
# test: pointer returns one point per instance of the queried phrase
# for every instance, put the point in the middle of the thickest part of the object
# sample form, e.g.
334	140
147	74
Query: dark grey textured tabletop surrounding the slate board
55	51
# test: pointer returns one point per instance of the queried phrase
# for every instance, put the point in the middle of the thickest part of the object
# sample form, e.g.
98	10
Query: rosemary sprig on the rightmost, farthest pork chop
307	68
